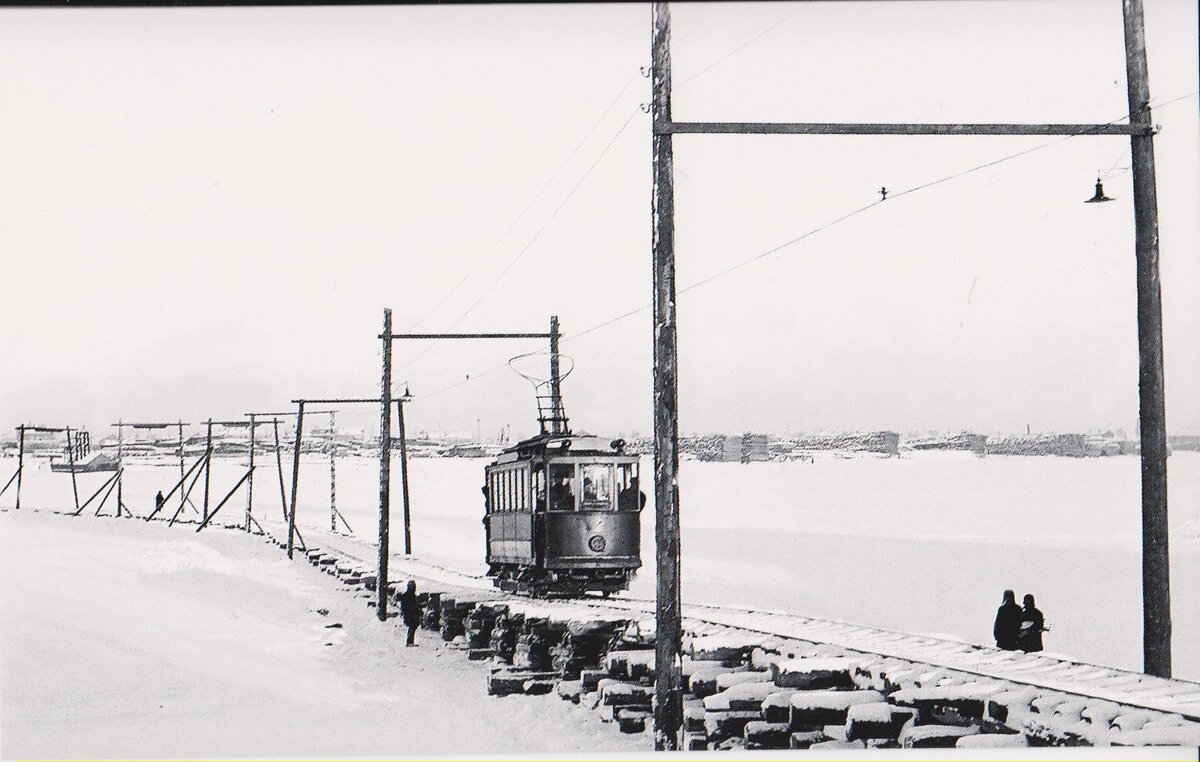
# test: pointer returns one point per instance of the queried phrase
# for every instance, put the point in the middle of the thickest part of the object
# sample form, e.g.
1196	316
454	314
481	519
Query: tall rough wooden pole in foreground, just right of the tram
669	641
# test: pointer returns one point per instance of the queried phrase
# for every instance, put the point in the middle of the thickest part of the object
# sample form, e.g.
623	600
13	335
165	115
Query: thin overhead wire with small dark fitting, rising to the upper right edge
811	233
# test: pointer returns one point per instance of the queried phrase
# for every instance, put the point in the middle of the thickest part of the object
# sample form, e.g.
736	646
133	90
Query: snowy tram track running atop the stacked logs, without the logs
777	629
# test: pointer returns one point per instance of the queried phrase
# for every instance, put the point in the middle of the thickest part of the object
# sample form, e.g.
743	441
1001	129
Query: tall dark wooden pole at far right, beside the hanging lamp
1156	572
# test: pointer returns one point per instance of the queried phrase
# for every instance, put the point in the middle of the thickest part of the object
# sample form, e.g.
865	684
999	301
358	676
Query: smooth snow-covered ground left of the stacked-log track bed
127	640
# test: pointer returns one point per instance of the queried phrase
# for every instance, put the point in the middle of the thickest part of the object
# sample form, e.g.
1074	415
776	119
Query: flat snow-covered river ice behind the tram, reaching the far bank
922	544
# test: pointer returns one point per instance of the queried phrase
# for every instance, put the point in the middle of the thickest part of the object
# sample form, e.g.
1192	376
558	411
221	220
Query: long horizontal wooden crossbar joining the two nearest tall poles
824	128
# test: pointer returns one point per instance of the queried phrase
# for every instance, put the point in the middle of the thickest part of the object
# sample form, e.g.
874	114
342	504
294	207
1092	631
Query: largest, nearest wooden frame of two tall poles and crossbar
1156	562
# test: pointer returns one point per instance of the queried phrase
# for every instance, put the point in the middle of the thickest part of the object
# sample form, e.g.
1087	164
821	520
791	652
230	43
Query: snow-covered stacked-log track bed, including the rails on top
776	681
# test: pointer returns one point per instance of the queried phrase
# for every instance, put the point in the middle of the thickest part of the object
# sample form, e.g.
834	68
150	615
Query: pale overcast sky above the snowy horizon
205	212
